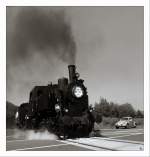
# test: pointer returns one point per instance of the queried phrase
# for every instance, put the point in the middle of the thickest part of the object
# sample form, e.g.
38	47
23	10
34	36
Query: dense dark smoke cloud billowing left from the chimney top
48	32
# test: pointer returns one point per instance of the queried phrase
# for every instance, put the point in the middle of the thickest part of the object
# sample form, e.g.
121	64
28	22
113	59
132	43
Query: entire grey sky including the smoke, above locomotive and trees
105	43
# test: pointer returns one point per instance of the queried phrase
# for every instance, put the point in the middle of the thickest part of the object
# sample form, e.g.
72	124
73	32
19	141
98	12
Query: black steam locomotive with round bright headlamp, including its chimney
62	108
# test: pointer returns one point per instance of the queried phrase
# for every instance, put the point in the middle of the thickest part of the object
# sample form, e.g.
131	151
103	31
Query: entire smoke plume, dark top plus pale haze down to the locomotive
40	44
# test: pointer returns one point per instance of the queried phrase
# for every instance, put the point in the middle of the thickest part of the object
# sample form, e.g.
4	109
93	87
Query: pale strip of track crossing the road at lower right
109	144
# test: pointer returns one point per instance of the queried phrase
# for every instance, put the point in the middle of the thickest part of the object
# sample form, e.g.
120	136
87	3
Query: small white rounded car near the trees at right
126	122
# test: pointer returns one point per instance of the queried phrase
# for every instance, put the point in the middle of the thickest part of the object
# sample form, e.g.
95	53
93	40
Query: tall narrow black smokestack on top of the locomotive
72	73
